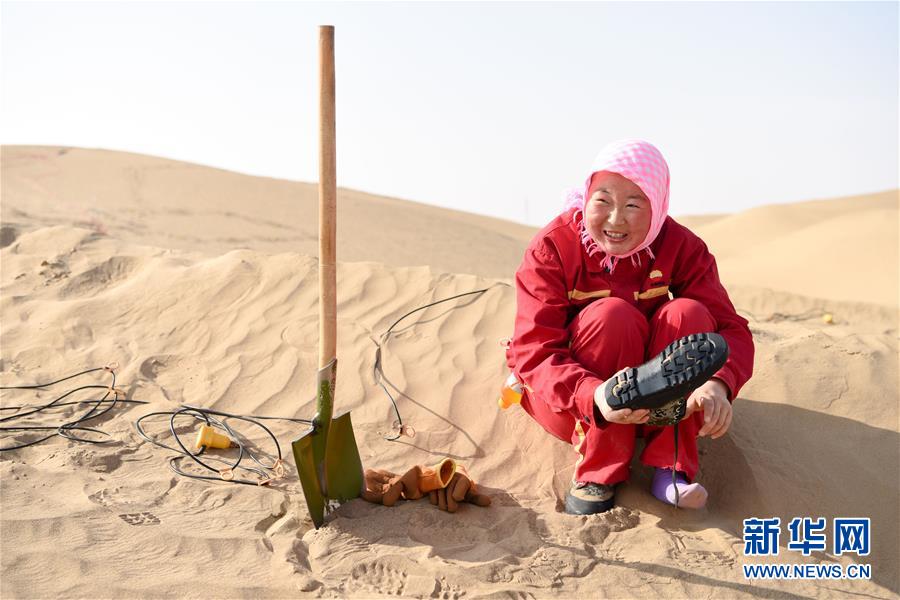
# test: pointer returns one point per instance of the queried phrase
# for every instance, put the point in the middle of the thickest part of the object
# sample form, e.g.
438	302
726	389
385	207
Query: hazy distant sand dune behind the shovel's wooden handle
178	205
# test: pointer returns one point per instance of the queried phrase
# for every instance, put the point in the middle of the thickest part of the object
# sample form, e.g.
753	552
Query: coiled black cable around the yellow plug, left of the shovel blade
265	473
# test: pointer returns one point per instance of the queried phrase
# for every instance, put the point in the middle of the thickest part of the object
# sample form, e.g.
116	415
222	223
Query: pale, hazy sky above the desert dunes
492	108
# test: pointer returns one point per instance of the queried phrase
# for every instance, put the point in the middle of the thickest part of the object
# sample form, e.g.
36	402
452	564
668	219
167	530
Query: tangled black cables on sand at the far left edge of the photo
66	428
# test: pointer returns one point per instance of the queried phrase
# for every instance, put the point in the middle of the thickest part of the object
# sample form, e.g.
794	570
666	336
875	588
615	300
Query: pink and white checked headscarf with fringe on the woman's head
643	164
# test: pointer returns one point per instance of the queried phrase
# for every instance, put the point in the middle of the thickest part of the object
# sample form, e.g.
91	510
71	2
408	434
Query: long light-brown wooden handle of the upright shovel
327	199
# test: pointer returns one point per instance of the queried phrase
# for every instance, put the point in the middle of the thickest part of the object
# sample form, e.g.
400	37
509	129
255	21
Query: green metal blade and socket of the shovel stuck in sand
326	455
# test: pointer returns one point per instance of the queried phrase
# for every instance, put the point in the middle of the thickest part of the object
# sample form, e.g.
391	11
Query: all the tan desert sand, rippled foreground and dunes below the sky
202	285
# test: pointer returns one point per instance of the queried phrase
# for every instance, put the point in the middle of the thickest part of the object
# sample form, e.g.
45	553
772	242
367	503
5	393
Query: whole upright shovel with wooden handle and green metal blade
327	458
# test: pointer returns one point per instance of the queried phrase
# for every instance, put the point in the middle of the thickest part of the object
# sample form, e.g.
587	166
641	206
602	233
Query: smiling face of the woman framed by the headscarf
617	213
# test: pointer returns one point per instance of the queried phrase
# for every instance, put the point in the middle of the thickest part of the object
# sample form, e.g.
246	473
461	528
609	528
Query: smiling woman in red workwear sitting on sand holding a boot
593	305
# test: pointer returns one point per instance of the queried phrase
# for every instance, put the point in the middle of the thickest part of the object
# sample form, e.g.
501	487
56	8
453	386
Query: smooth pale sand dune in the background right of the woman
844	249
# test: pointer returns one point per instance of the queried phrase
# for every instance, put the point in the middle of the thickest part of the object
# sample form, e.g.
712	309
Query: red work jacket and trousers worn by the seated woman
577	324
